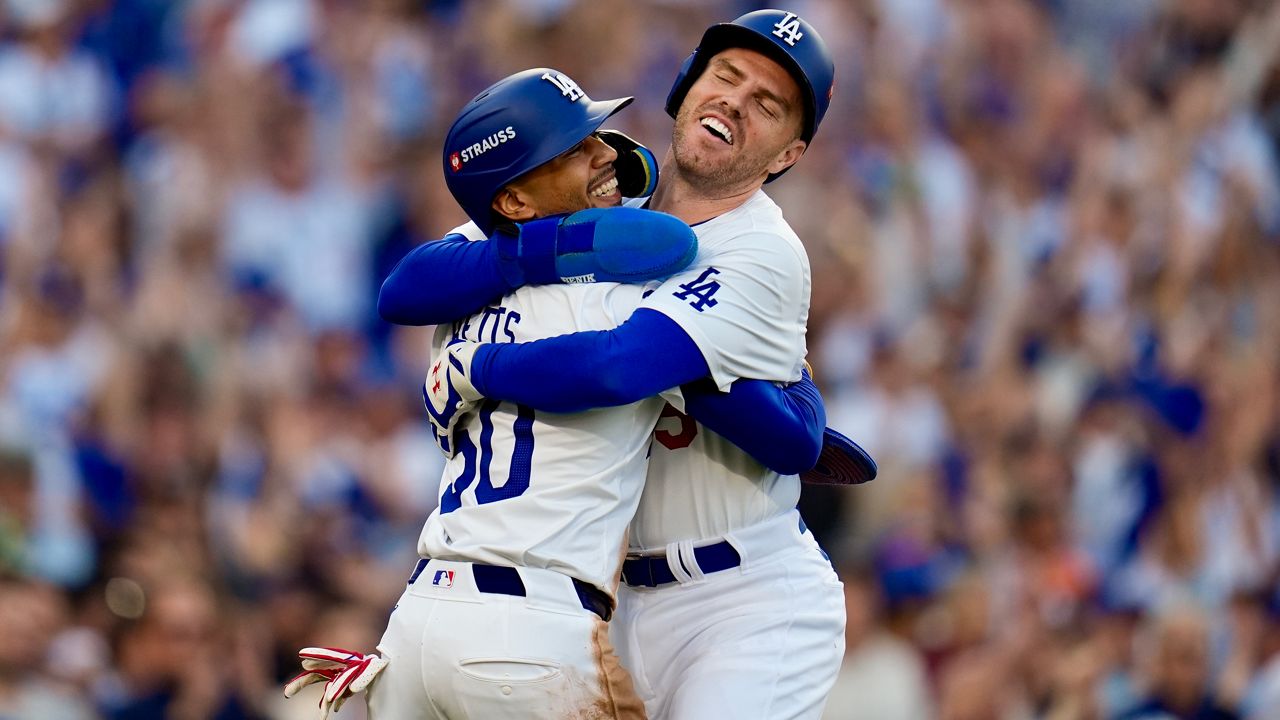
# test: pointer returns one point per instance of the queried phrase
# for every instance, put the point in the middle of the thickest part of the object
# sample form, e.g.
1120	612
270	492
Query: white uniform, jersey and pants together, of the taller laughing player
770	631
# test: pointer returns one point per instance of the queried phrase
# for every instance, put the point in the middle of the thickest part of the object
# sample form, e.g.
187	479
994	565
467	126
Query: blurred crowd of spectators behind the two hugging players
1045	239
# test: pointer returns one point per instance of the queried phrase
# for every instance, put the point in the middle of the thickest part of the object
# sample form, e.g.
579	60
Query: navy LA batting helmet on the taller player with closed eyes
780	35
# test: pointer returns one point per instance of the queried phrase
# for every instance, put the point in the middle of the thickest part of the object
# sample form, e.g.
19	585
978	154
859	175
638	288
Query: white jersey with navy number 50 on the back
543	490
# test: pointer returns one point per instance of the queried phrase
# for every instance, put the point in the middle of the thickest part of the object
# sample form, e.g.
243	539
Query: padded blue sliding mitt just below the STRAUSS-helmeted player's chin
597	245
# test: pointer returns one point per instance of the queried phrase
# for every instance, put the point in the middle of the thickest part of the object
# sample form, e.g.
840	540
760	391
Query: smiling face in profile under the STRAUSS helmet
579	179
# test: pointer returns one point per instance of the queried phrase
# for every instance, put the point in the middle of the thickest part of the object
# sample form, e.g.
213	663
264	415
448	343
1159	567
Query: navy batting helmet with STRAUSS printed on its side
516	125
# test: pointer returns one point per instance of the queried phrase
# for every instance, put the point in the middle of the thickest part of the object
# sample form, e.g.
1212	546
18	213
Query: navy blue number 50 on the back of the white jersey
478	462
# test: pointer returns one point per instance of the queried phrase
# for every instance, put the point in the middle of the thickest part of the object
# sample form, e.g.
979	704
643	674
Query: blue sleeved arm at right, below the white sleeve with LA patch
781	429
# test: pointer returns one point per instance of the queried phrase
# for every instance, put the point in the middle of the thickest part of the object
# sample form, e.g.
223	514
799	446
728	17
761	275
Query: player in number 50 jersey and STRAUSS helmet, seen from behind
506	613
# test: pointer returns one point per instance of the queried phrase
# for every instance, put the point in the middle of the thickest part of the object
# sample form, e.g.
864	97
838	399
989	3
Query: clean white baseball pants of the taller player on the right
762	641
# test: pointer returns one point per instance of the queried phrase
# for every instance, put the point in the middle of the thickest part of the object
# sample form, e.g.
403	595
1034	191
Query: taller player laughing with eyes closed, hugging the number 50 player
729	608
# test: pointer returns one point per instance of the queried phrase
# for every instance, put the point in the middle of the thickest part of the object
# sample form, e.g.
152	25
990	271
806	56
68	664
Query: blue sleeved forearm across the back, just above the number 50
572	373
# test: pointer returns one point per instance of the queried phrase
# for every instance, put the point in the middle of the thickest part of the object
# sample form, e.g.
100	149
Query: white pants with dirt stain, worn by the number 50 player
456	653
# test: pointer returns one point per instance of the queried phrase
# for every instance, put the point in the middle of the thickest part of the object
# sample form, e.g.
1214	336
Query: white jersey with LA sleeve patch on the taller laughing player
746	303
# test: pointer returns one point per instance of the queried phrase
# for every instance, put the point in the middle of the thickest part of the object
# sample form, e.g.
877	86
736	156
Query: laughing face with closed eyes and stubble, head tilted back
740	122
